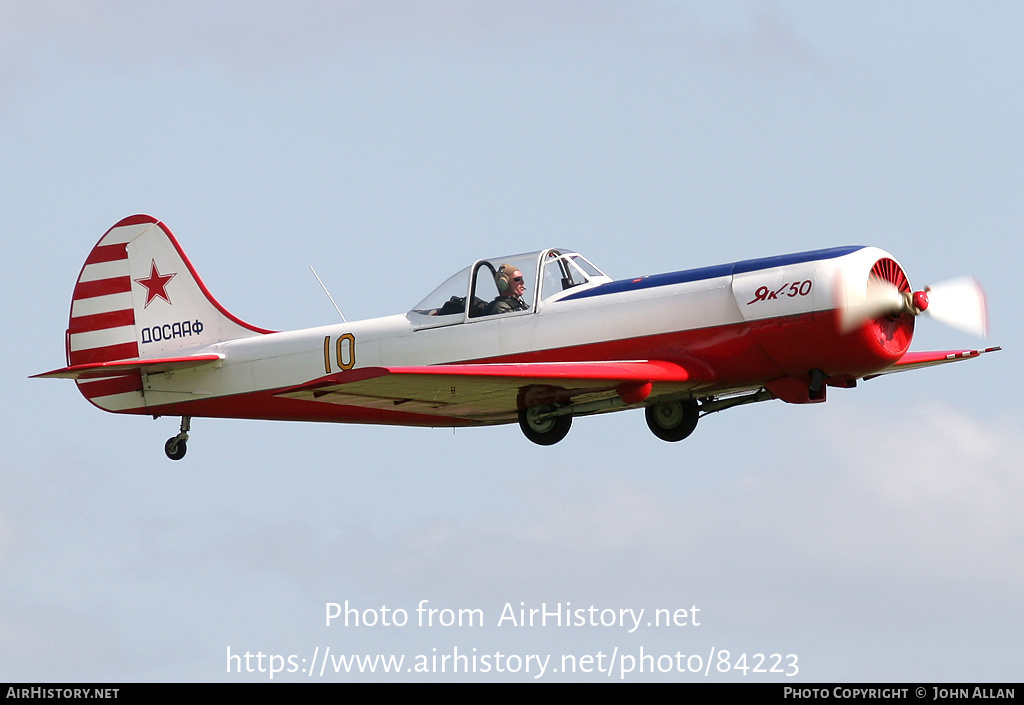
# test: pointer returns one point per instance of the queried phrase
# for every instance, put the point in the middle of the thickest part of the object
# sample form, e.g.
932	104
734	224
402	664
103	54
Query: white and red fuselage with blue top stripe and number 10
744	325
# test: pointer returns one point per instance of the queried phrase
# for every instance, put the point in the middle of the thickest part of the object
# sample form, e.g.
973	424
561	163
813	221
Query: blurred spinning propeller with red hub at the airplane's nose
958	303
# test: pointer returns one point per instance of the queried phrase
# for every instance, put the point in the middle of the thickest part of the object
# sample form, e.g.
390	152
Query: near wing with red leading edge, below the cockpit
493	393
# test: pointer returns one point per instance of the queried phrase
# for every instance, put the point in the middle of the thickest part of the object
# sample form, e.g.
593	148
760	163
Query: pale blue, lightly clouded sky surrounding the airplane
877	537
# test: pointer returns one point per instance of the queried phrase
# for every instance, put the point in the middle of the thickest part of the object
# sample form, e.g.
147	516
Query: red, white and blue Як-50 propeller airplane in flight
146	337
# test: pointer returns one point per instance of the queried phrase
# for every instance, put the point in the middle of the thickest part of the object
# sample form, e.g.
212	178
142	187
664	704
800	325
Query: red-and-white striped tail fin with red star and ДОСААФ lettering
140	301
